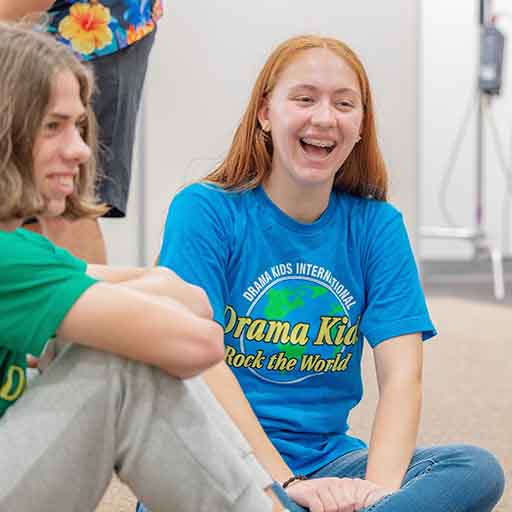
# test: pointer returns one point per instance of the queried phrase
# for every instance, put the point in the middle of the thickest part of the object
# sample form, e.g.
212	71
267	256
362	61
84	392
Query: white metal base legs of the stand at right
482	249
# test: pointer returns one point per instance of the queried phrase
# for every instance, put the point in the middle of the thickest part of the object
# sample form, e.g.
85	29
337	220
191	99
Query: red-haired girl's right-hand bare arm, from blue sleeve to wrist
398	364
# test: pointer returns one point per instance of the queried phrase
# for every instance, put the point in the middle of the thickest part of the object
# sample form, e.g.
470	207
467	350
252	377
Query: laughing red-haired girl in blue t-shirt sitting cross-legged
302	258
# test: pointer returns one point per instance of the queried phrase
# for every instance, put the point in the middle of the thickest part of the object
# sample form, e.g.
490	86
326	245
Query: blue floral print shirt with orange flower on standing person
99	27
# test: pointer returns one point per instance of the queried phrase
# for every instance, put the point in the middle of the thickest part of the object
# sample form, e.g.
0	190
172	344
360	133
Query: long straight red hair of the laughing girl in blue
249	159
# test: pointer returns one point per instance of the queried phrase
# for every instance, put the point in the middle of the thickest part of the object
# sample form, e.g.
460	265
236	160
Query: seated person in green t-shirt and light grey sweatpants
115	398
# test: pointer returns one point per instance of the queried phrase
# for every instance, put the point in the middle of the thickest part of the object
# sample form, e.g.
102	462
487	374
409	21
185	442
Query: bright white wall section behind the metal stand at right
448	86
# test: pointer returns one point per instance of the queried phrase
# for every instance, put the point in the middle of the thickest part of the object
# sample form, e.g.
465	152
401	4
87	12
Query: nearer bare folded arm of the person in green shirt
155	330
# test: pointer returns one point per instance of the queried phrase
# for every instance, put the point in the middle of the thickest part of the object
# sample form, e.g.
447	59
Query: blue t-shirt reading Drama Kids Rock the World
296	301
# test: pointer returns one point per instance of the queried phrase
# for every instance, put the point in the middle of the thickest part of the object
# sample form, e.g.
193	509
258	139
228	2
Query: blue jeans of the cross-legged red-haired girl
452	478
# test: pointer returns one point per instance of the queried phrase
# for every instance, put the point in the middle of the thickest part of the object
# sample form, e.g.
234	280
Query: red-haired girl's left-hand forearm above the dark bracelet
228	392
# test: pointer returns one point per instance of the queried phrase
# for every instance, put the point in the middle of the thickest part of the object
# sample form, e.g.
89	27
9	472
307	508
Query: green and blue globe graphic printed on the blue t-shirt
292	301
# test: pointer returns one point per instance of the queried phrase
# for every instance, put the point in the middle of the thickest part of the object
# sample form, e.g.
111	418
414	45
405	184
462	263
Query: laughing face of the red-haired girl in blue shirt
315	115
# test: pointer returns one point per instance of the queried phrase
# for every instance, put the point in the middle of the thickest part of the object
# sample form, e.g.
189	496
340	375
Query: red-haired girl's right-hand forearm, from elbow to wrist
394	433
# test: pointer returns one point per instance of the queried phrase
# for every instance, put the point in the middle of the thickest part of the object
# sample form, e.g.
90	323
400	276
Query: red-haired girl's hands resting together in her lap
335	494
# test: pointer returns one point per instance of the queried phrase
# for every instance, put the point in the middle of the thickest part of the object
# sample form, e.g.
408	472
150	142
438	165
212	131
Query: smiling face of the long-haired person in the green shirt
59	148
